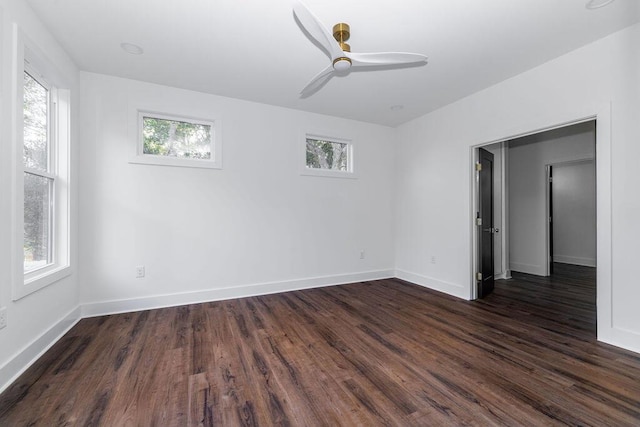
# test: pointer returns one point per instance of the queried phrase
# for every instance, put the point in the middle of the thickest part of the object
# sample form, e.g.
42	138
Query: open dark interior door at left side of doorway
485	224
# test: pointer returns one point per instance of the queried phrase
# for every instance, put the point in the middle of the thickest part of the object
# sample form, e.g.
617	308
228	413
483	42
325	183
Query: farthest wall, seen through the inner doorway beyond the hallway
574	213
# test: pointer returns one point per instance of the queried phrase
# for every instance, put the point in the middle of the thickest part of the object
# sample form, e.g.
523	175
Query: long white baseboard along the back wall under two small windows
172	300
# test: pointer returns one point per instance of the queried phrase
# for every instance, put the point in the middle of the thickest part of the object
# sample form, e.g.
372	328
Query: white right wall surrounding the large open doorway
434	171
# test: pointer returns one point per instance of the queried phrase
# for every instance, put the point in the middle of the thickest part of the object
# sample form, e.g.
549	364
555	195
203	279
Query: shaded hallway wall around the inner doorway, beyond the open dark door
528	158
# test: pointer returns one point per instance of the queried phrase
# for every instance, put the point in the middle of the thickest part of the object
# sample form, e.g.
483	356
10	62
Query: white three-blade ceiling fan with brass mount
342	59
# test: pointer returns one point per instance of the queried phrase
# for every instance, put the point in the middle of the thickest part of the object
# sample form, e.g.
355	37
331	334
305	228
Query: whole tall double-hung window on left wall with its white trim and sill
42	165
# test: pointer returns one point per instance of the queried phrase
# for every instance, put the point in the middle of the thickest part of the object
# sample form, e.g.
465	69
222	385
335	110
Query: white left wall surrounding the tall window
37	320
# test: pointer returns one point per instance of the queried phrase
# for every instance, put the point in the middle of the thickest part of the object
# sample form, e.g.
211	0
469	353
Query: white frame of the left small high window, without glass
150	159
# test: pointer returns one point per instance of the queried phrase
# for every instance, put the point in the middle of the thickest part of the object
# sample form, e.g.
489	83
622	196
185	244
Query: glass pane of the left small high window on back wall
172	138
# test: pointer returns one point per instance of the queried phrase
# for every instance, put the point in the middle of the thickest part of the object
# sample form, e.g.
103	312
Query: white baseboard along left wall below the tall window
18	364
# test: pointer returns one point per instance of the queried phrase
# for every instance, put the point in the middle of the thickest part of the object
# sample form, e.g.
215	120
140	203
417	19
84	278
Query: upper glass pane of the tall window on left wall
36	103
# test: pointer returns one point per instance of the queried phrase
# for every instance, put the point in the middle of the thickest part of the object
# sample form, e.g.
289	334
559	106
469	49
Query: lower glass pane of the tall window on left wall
37	221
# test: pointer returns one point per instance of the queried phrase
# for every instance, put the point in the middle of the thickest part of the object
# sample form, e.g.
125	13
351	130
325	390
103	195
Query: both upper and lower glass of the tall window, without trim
39	174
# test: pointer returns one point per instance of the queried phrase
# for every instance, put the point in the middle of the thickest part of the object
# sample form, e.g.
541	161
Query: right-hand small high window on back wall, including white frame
328	156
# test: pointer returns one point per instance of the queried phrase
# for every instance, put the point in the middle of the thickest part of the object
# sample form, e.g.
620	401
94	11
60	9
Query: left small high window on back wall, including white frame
176	141
